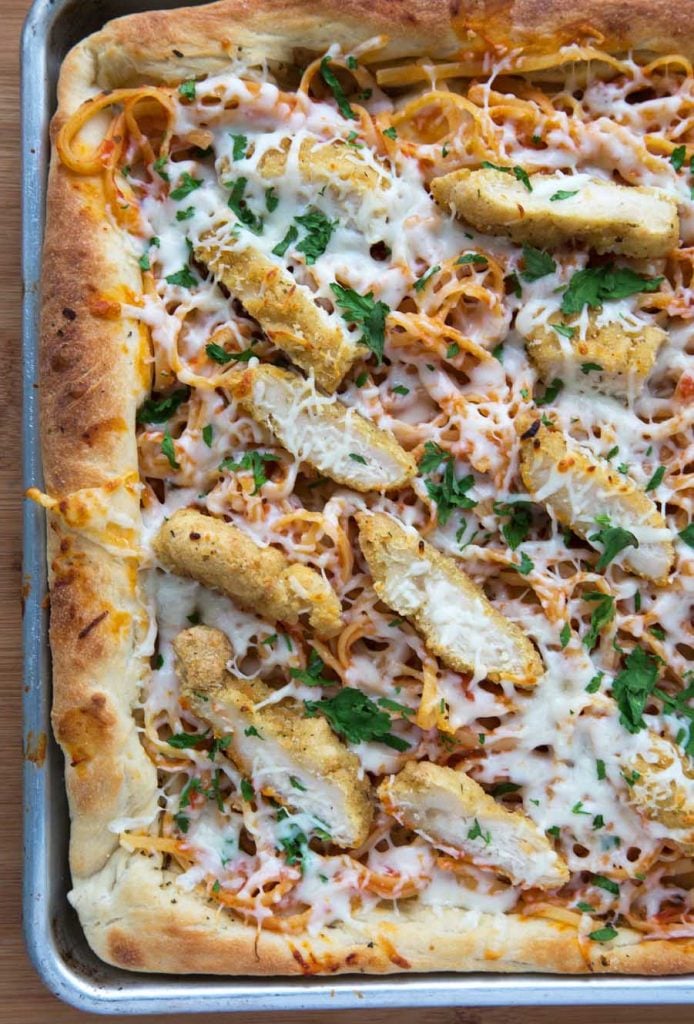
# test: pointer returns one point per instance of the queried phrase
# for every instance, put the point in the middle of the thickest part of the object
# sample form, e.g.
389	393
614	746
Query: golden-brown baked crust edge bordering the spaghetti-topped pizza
93	377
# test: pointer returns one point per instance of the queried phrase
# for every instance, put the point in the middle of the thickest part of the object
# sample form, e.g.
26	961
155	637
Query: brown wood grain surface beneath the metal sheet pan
23	998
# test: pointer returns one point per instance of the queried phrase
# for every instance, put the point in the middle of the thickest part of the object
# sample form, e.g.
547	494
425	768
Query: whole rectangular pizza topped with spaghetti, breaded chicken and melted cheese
367	415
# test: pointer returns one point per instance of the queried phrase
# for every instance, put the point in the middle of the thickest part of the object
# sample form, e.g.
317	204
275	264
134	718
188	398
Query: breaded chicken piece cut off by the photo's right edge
663	789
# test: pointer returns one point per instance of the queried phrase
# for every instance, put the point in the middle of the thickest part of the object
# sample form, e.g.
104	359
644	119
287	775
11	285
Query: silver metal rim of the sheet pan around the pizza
73	973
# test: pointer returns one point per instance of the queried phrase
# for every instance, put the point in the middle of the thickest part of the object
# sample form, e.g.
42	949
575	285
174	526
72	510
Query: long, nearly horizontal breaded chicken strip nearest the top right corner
609	218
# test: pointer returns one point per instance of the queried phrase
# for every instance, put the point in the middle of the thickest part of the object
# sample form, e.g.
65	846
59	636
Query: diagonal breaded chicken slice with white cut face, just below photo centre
458	622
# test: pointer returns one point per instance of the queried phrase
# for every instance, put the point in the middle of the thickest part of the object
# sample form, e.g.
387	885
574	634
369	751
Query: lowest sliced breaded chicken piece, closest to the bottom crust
452	812
